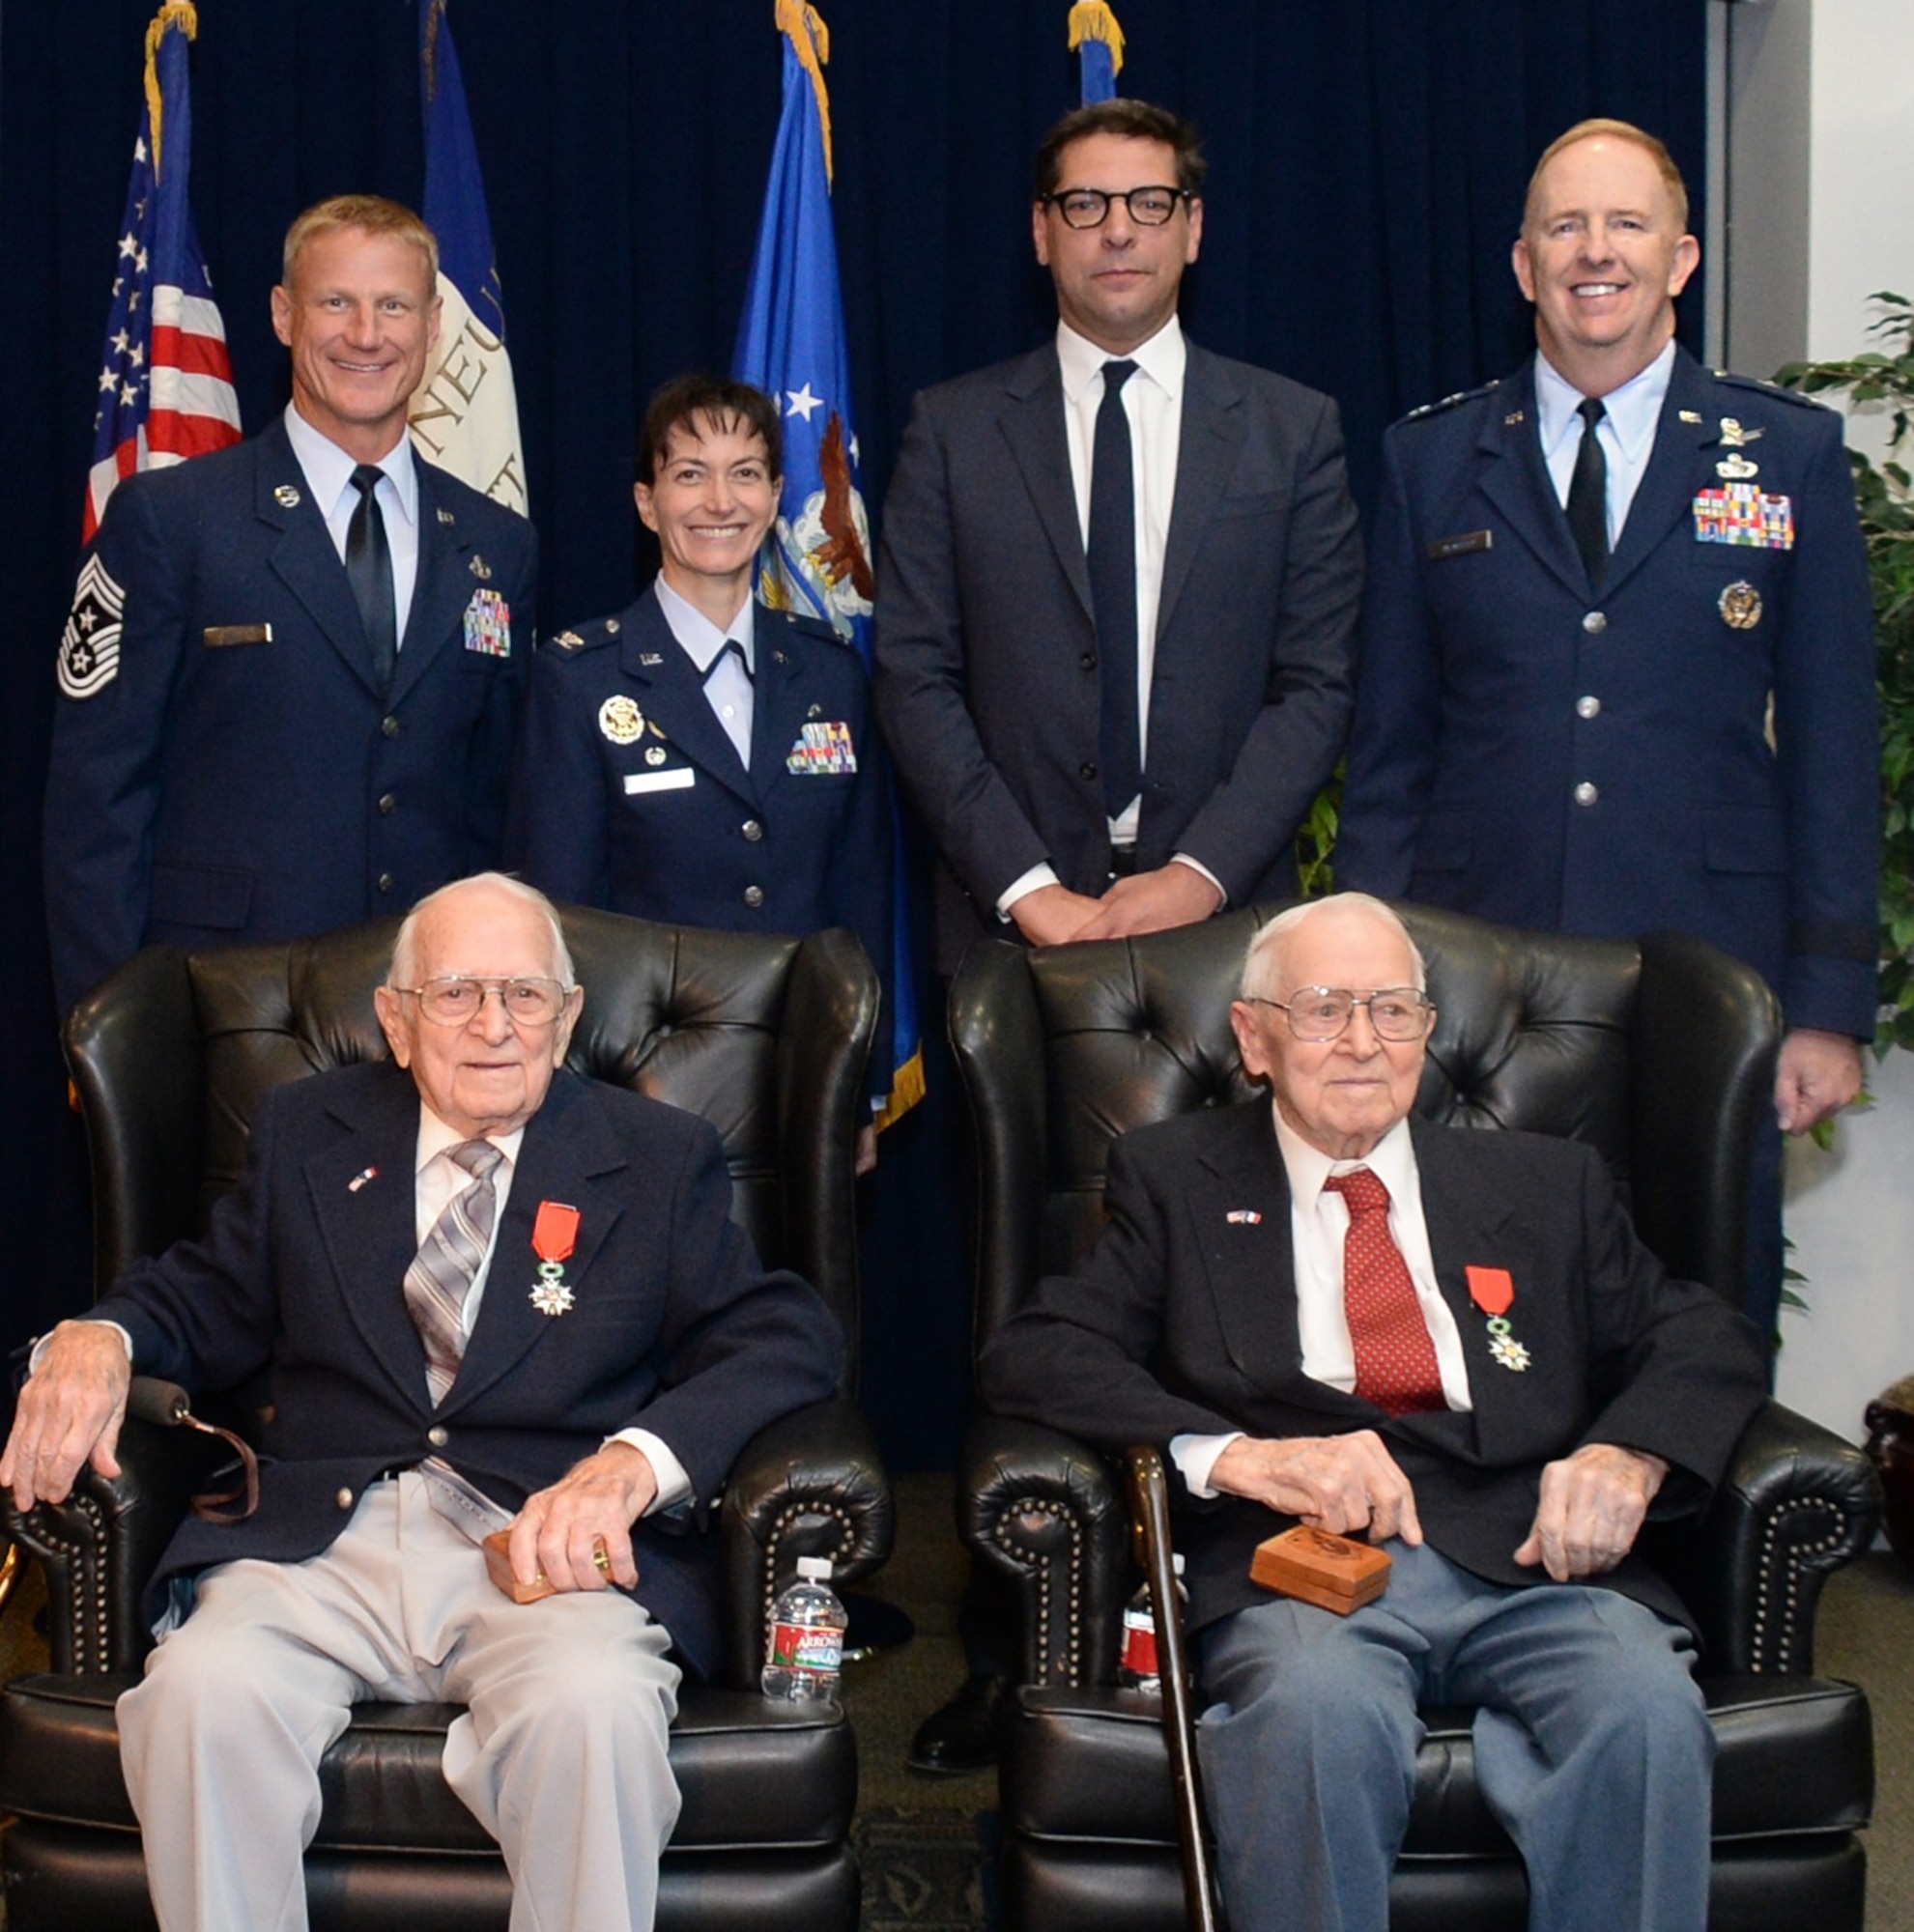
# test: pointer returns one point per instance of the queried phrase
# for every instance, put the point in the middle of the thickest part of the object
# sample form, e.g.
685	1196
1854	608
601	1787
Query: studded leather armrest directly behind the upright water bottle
811	1485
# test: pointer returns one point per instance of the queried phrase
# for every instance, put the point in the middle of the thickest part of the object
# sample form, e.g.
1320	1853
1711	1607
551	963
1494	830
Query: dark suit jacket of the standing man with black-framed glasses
987	650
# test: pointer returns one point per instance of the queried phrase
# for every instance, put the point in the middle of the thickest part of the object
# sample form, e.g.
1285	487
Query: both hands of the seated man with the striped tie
74	1404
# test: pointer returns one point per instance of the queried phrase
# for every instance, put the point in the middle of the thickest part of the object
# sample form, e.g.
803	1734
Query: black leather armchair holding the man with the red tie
1660	1054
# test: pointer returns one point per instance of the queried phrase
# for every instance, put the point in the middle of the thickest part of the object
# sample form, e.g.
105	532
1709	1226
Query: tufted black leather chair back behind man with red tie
1660	1054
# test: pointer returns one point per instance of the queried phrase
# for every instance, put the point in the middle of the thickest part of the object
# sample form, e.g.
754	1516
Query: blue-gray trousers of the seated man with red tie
1592	1747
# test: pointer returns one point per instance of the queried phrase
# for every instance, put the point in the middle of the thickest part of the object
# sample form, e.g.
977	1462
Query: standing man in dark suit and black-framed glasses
1118	584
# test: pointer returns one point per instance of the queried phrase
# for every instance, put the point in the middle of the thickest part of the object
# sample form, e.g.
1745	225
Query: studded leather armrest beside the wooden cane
1047	1520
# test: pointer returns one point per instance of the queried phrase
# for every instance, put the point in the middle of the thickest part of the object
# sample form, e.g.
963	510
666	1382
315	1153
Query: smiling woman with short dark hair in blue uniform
703	758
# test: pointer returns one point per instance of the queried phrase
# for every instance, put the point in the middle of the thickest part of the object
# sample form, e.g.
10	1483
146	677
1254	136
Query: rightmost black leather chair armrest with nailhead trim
1795	1506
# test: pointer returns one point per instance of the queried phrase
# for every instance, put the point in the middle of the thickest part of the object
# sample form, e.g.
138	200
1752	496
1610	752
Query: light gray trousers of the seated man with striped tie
560	1755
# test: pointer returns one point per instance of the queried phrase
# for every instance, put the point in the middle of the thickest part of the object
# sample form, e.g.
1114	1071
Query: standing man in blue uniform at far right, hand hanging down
1619	646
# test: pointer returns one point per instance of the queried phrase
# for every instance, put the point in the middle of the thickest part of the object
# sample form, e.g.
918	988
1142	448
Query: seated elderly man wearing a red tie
1453	1344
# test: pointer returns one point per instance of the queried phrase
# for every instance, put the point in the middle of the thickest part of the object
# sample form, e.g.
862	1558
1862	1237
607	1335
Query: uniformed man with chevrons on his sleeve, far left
291	679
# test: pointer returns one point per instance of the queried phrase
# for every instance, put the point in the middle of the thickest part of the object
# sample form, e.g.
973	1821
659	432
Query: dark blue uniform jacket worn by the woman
670	824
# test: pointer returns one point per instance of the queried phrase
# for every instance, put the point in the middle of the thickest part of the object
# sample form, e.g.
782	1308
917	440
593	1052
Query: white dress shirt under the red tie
1319	1224
